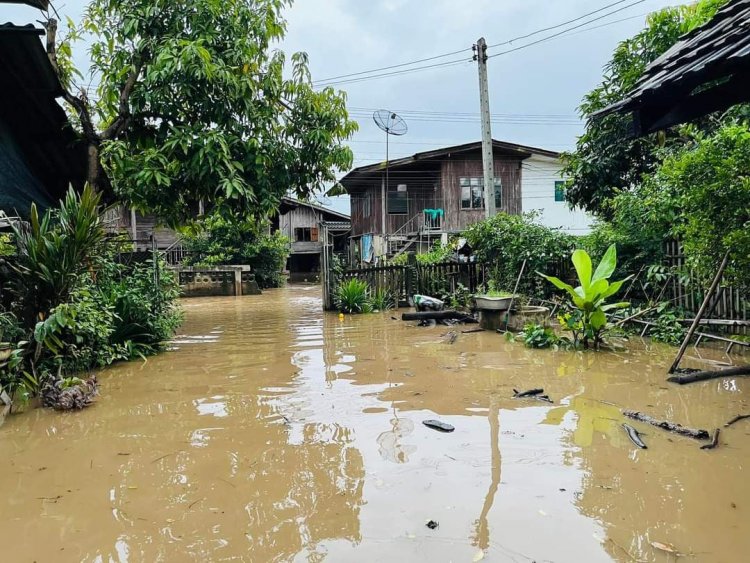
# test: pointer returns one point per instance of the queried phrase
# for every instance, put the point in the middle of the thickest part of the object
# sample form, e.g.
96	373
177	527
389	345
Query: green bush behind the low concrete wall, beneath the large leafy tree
231	239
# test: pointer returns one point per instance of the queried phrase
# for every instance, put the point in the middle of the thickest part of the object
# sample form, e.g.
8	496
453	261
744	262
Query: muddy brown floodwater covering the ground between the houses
275	432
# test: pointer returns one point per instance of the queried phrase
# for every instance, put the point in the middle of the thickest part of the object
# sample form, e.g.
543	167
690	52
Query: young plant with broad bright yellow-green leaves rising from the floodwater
589	298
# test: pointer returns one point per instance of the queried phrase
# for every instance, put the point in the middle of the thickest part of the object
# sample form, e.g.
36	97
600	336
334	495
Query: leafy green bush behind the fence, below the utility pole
503	242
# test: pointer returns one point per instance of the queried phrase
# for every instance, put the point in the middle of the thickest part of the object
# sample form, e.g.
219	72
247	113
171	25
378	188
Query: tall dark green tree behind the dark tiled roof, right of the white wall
608	160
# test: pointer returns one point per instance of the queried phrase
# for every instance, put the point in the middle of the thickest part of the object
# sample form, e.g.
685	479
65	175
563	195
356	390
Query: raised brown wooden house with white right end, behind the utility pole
433	194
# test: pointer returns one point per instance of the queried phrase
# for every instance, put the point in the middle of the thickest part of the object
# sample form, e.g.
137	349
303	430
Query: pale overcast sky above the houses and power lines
548	80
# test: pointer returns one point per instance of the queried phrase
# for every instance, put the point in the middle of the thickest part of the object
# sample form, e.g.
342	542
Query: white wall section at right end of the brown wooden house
538	179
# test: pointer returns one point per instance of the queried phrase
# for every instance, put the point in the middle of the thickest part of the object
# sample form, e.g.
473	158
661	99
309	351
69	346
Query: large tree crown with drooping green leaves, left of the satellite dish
193	104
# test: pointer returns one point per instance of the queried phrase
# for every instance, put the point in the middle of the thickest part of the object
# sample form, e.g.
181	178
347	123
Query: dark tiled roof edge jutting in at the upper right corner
707	70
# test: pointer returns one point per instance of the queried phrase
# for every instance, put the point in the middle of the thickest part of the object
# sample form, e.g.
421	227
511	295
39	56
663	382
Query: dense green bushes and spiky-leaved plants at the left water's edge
74	306
